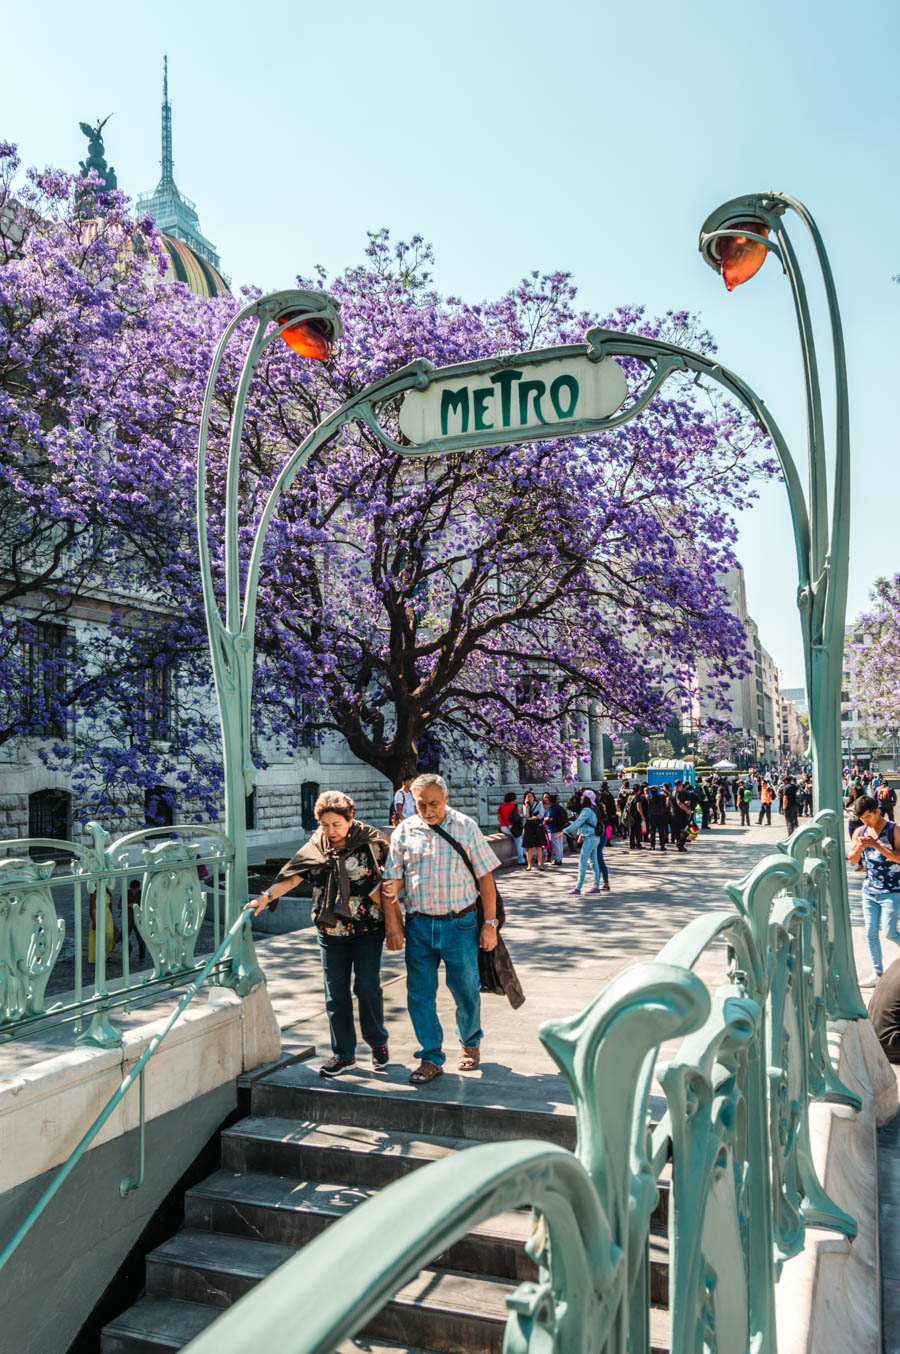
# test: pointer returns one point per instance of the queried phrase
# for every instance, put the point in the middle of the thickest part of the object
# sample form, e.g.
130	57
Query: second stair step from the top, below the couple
347	1154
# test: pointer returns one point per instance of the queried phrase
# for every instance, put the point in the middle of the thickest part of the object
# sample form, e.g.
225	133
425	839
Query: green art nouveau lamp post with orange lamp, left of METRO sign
309	323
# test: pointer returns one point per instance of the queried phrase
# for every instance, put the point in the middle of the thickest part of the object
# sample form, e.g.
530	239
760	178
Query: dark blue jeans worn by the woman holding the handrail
358	957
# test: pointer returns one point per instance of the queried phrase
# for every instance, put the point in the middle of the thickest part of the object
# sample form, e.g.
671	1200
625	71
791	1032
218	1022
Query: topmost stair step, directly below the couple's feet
297	1092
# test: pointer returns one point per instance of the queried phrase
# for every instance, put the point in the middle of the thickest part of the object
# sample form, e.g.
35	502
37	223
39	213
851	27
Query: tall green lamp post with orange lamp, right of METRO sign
736	240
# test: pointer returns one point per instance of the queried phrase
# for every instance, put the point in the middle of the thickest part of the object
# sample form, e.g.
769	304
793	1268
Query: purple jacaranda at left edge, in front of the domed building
101	364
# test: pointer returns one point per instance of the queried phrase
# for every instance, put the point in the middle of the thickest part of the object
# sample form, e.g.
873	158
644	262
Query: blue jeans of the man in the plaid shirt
428	942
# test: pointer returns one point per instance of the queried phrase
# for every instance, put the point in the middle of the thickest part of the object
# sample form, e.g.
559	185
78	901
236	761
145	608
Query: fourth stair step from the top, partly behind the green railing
441	1310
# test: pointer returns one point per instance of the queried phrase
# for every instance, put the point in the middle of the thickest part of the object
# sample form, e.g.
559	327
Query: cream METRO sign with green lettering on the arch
527	399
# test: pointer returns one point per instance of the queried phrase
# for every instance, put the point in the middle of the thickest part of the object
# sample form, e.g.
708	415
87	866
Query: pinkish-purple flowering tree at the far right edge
874	659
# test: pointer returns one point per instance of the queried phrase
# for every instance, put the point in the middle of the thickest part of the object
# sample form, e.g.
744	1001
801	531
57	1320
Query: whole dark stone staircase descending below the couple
307	1154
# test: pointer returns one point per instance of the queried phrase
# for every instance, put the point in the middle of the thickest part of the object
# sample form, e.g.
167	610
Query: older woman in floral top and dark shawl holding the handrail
343	862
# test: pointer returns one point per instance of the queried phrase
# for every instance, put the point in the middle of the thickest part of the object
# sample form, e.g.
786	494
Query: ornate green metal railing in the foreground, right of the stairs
734	1138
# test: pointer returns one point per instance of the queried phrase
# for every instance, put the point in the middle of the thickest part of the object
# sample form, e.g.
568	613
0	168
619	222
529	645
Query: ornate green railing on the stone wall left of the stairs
71	898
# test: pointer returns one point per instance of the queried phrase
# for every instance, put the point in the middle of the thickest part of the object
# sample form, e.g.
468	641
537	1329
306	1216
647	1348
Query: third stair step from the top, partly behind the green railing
292	1213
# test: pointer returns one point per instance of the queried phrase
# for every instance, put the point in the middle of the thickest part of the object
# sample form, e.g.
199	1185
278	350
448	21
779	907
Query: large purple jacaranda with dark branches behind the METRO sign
487	602
